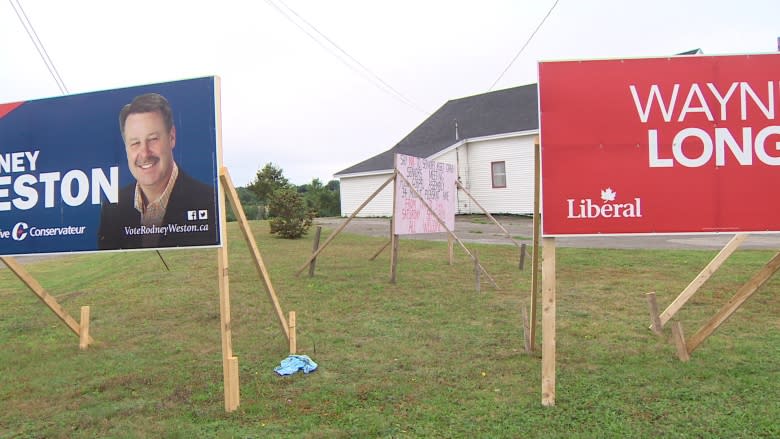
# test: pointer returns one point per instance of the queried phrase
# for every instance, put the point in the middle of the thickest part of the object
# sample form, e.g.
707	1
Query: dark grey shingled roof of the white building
488	114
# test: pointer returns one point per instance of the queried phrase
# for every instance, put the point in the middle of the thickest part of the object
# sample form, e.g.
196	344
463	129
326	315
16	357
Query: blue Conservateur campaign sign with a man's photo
111	170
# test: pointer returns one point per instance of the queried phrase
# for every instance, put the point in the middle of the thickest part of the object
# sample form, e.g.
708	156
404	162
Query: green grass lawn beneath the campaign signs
425	357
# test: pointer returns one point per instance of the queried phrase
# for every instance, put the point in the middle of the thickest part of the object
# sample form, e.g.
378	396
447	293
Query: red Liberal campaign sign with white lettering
687	144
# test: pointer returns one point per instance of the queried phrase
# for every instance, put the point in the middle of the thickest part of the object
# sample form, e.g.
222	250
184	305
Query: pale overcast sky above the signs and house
307	105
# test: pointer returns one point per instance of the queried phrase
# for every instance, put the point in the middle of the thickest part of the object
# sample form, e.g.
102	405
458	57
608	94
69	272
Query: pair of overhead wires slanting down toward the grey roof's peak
355	65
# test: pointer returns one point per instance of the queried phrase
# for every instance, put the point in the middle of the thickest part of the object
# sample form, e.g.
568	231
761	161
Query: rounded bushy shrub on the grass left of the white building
290	217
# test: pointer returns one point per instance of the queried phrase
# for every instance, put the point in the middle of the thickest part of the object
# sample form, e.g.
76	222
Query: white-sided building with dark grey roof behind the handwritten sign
488	137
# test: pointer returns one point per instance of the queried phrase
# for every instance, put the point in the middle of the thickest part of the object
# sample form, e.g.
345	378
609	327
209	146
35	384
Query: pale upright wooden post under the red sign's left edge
548	322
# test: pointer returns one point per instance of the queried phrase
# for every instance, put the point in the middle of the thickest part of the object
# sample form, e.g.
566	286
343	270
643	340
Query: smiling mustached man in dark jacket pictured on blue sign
164	206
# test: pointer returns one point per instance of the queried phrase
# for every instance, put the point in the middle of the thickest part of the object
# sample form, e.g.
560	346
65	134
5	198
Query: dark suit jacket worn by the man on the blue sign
189	202
